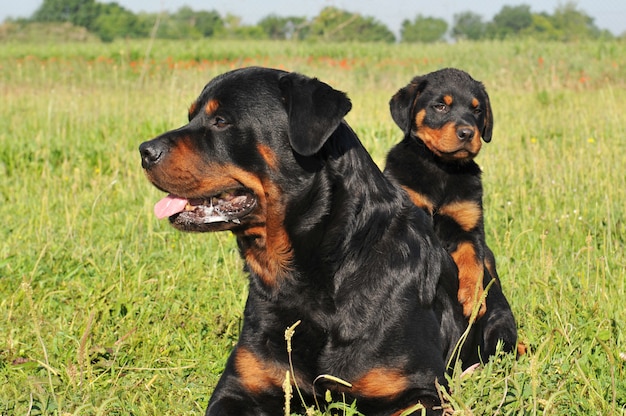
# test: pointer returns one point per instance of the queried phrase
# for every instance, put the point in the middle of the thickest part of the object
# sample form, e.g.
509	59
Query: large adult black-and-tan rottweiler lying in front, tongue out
327	240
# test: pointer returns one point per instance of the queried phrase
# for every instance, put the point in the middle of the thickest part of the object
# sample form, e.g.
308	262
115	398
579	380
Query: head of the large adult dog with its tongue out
228	168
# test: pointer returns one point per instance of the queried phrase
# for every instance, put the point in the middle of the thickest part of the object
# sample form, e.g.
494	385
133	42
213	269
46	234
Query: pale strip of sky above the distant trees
607	14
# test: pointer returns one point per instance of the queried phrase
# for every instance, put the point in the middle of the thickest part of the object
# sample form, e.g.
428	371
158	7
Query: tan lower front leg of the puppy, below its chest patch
471	271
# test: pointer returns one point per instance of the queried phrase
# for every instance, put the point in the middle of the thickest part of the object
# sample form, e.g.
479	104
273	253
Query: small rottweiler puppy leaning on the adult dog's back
443	115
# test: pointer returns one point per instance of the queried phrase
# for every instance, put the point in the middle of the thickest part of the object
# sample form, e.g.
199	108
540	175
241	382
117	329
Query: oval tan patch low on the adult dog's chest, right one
381	383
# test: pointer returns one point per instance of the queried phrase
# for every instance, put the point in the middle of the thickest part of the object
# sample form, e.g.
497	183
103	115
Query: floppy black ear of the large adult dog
315	110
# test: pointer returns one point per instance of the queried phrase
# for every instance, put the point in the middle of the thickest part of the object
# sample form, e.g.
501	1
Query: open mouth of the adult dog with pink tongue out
202	214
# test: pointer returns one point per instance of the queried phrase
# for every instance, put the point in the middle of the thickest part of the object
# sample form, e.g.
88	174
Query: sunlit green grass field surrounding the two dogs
105	310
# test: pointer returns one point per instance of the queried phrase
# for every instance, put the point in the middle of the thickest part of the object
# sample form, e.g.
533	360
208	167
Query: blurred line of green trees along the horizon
110	21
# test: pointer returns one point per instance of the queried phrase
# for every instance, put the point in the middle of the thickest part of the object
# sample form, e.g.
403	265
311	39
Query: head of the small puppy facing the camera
447	110
